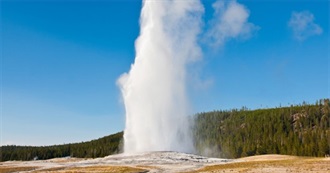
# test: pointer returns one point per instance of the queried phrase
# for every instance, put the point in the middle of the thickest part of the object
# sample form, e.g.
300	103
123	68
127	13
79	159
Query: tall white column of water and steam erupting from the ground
154	90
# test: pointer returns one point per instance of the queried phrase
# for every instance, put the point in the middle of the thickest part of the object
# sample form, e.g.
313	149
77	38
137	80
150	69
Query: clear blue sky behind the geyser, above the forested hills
61	60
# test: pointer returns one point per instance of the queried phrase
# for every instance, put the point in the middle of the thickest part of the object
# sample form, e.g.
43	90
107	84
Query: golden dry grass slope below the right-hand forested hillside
279	165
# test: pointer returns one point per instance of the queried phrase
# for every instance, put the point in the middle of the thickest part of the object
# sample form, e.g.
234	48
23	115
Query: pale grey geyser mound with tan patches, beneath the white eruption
138	162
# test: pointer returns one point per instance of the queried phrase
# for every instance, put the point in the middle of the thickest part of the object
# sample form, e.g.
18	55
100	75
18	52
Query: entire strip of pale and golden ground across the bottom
171	162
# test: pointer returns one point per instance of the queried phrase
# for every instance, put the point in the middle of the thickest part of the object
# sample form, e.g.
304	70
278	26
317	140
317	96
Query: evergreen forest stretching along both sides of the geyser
302	130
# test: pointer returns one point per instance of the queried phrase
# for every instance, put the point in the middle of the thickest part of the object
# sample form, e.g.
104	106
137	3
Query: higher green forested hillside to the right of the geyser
302	130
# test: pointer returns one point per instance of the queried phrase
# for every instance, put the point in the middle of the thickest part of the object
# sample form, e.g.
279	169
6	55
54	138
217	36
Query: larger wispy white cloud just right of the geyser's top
230	21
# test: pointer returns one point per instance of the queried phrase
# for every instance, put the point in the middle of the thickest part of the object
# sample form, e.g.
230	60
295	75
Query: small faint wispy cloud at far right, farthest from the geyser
303	26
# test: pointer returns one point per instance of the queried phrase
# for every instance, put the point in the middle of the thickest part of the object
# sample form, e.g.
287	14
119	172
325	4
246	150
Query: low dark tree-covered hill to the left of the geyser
96	148
